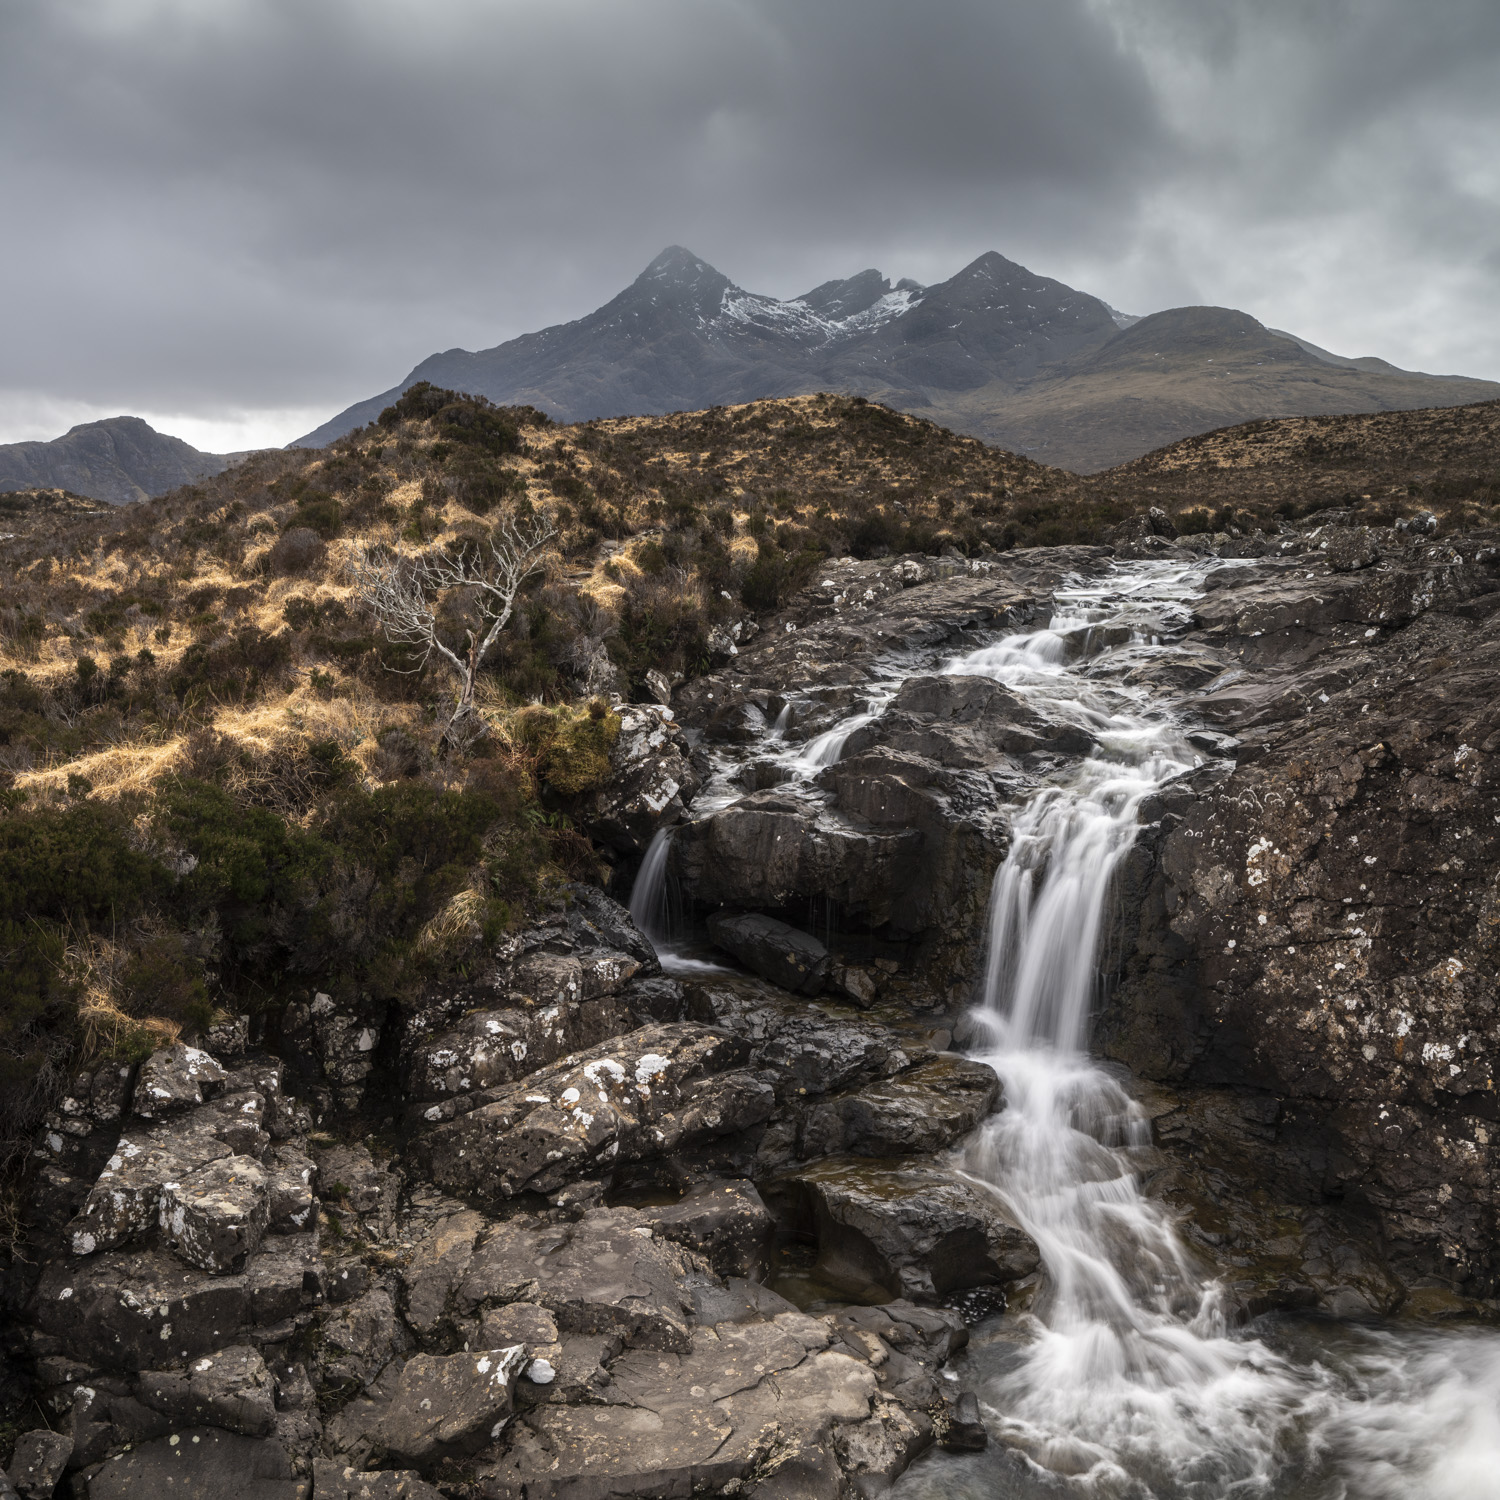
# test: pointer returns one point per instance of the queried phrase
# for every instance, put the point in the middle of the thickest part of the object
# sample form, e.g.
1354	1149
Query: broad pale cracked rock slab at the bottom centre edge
739	1400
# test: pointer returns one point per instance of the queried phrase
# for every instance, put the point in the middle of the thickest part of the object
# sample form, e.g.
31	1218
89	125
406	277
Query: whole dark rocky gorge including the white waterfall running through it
1192	845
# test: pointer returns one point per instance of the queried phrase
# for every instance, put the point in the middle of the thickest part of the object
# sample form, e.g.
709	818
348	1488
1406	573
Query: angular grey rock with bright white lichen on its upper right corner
451	1406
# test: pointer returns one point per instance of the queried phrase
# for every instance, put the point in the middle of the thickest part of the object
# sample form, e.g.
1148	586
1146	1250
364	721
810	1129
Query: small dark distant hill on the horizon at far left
119	460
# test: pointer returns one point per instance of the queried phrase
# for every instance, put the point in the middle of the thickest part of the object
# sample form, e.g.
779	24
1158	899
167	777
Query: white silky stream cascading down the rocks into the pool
1124	1378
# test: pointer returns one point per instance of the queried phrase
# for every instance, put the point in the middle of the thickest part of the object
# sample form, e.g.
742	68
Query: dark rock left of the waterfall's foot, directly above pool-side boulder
923	1111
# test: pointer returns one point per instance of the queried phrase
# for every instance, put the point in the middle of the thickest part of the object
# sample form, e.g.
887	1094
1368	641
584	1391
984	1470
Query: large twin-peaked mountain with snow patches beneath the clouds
995	352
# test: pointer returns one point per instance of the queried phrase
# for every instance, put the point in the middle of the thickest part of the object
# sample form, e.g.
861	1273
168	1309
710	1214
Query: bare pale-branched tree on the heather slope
472	590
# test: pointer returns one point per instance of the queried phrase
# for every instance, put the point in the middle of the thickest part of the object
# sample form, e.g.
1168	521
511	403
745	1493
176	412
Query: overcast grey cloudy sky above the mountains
238	217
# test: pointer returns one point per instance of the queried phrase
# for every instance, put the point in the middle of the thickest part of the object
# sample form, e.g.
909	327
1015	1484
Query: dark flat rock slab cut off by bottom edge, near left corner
202	1465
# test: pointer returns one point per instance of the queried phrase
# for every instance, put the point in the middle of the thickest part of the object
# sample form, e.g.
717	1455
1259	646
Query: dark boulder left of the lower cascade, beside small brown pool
907	1228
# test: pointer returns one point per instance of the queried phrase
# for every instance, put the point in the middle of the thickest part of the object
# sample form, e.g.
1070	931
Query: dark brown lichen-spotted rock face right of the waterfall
1318	922
